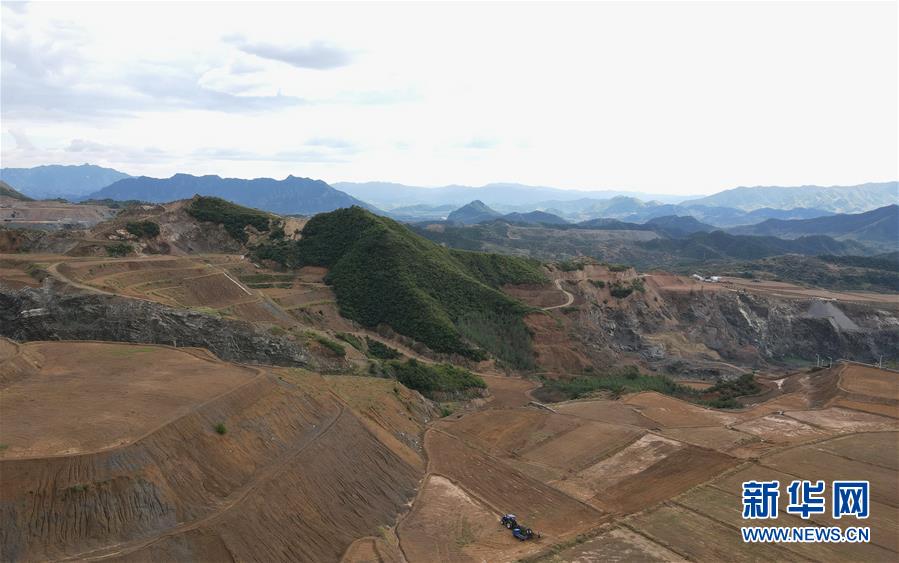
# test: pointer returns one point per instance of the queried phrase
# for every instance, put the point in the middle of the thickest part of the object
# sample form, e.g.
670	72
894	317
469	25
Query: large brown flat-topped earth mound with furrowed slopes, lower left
136	468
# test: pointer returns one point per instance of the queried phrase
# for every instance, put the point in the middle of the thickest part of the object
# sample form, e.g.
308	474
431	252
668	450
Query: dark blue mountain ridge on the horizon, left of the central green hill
291	196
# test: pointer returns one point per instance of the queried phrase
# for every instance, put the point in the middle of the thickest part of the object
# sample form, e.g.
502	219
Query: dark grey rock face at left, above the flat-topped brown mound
44	314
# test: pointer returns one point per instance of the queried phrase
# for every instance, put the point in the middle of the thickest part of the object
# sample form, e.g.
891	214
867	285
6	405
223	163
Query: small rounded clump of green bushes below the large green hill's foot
435	381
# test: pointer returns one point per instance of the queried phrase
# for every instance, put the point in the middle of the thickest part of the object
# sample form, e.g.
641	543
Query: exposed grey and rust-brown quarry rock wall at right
678	331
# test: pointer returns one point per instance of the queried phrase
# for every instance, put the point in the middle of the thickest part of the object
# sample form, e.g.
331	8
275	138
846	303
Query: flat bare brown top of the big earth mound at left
139	387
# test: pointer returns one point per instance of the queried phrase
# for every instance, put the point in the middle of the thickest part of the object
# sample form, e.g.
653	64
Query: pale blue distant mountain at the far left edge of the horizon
71	182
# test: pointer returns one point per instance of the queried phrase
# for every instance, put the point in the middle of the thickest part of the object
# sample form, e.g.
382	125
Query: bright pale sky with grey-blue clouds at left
665	97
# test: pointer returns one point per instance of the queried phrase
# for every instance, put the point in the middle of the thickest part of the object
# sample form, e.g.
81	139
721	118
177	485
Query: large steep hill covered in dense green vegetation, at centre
383	273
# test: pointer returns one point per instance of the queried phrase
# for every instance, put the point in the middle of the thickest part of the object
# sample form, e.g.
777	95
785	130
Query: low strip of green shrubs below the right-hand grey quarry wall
619	381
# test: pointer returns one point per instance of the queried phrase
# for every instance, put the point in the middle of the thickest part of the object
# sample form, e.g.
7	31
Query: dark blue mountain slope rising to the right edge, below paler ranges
878	228
